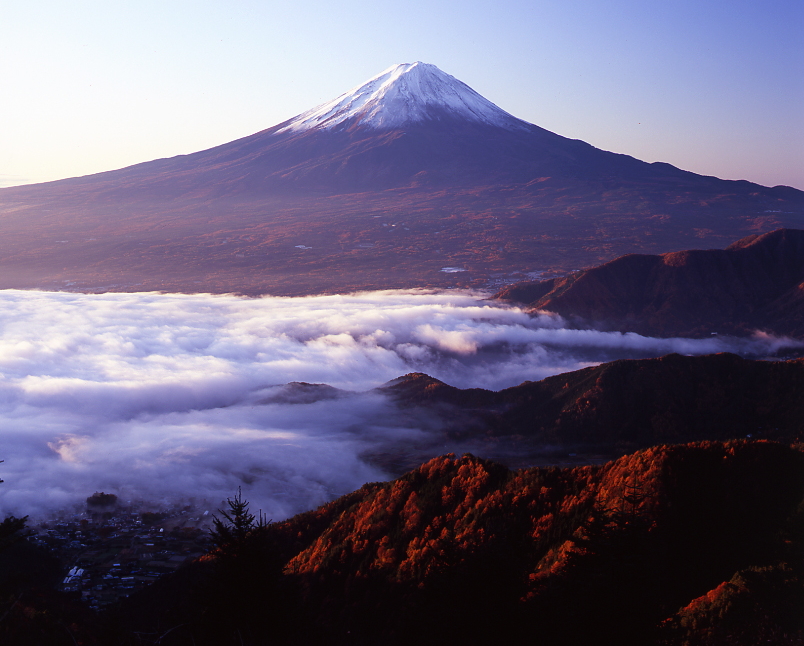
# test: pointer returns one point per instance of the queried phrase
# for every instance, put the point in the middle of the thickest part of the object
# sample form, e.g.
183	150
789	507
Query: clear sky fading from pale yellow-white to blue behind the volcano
714	87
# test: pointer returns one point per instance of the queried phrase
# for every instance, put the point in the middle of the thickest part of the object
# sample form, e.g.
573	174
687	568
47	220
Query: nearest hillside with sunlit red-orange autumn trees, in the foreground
689	544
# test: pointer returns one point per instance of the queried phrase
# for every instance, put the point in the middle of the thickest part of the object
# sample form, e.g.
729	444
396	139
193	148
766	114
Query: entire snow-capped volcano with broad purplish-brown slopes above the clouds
410	179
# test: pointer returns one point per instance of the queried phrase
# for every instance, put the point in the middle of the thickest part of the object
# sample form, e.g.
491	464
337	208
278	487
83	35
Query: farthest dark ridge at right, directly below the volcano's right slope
756	283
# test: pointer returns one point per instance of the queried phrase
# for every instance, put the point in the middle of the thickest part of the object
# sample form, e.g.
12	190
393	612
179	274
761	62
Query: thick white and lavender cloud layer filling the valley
171	397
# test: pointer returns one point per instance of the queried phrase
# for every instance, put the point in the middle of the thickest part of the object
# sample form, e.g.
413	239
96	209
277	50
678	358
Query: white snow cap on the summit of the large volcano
403	94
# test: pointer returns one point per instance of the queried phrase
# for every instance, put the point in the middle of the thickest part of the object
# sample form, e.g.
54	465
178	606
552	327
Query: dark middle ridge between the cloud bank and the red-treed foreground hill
612	408
